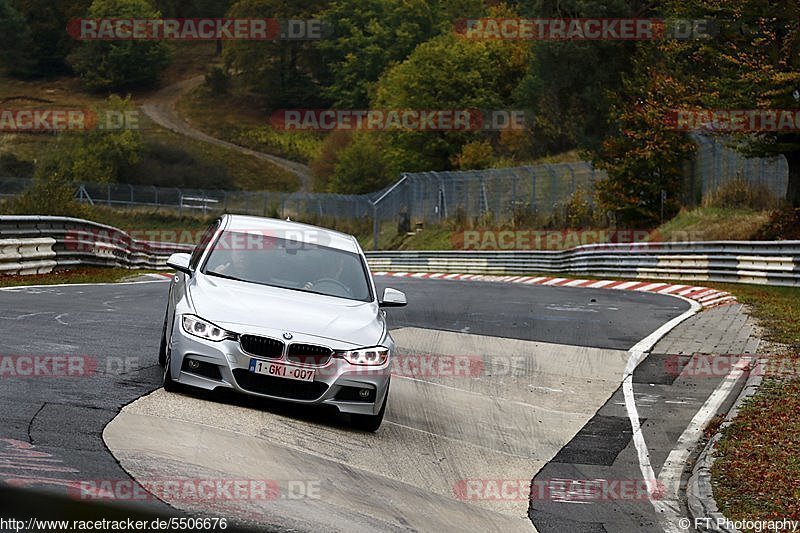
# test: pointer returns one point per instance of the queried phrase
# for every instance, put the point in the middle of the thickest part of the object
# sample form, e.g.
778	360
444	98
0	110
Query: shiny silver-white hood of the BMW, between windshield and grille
248	307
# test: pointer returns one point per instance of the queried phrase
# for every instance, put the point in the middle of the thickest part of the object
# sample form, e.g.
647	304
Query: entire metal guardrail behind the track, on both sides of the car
36	244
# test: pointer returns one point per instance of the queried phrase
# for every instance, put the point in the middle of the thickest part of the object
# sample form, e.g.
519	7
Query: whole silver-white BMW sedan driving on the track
281	310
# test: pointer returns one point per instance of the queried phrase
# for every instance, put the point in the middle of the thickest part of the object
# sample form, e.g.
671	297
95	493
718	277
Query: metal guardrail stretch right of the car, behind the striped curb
767	262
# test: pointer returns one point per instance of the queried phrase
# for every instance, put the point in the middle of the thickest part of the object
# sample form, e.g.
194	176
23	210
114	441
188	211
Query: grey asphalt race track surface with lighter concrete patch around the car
542	364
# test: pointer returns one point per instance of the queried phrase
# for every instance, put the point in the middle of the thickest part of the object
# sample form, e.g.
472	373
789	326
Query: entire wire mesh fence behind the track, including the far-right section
499	195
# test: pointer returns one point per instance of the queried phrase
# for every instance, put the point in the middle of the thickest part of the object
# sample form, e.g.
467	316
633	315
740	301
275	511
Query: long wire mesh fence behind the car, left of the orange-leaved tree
427	196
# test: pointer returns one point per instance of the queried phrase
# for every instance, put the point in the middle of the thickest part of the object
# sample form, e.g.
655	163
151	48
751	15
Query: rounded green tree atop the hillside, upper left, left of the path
117	65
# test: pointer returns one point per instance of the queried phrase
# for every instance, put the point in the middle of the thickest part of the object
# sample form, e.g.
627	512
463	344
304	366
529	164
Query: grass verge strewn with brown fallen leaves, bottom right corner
757	471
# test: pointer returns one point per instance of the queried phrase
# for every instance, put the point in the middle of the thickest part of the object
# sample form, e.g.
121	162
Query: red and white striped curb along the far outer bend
703	295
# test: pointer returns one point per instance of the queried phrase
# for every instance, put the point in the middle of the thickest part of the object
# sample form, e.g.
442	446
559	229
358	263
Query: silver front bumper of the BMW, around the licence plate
223	364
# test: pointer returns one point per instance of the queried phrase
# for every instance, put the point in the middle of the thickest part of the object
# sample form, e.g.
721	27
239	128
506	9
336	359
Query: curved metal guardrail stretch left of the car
41	244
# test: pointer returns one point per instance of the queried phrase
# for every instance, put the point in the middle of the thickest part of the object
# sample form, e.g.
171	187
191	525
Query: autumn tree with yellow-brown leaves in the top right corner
752	63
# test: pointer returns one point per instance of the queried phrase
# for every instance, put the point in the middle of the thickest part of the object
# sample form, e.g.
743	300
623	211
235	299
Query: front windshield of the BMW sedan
288	264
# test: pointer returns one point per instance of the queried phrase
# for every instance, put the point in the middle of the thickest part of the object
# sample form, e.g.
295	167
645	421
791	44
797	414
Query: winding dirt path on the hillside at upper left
160	107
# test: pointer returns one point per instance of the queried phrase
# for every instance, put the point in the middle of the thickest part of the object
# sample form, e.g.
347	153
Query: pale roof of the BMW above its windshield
287	229
